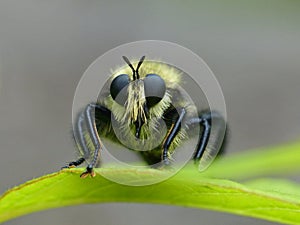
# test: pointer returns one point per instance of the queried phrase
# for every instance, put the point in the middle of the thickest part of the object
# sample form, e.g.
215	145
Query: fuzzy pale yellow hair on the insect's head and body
152	132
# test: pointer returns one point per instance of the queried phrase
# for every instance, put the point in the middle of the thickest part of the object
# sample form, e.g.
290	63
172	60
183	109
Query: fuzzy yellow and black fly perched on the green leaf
144	108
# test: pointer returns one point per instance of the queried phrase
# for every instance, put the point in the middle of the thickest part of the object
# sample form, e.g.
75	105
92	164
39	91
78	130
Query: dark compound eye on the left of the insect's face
118	88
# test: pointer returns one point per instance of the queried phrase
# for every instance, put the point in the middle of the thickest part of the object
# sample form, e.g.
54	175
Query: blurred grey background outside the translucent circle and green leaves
253	48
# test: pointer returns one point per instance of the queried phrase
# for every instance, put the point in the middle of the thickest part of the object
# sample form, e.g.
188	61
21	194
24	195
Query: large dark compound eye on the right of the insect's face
155	89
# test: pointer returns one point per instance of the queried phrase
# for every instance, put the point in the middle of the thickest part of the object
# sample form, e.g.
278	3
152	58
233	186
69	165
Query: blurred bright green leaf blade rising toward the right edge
281	159
